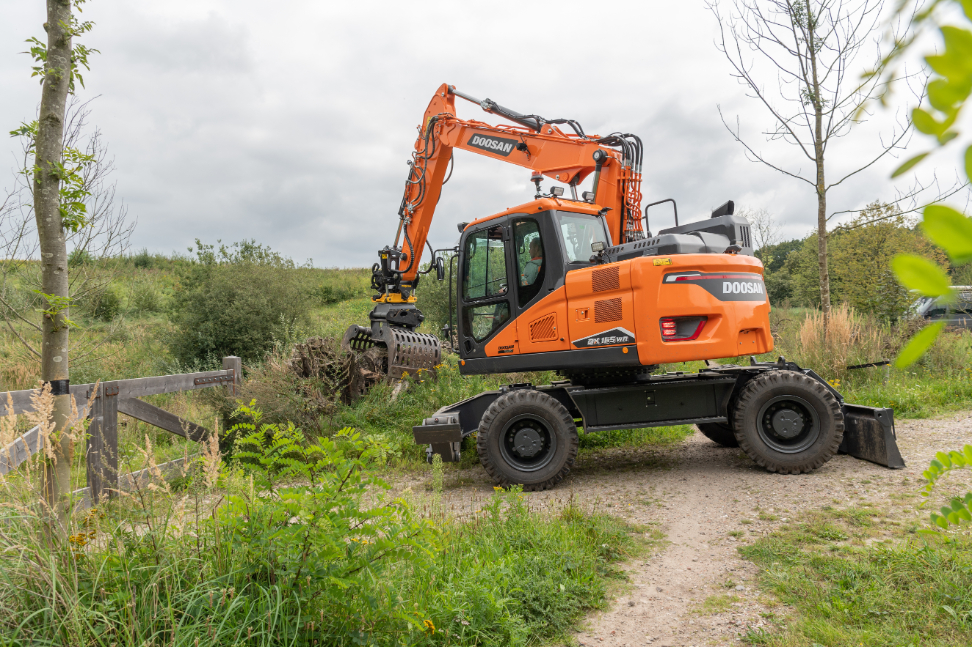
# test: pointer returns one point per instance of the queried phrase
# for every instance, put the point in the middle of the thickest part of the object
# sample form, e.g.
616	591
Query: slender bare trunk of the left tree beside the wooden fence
56	472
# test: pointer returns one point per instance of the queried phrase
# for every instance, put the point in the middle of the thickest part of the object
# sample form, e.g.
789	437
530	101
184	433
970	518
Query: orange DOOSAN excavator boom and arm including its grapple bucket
533	143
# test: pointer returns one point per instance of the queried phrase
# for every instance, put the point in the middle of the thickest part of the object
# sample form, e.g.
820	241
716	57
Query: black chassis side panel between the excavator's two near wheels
668	401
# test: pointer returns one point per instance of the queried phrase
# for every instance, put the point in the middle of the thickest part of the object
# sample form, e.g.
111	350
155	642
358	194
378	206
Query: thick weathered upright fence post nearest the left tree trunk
102	456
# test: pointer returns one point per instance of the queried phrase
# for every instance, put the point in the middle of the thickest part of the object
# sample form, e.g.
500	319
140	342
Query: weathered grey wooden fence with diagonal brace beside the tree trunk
110	399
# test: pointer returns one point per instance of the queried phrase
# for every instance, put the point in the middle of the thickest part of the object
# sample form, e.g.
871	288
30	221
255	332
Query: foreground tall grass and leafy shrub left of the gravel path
299	543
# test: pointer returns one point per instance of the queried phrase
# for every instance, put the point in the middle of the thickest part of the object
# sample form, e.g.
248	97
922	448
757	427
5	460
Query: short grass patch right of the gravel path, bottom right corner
853	577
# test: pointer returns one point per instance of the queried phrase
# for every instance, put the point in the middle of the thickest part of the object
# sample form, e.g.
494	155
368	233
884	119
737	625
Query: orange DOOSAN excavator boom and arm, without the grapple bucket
534	143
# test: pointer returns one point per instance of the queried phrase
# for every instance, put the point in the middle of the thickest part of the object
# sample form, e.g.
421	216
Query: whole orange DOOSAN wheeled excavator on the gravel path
578	286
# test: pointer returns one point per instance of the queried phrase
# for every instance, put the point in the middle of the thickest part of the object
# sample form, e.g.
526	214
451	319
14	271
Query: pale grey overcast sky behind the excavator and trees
291	122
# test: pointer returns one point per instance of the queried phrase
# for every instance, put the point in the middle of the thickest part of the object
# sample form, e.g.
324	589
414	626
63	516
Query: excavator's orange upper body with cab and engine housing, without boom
543	287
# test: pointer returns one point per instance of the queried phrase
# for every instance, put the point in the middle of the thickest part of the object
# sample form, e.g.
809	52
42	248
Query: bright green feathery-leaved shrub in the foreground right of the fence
301	522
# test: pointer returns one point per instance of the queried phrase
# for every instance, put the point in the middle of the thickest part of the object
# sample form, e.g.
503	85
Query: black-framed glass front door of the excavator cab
485	292
